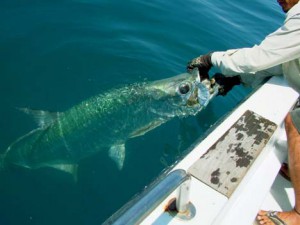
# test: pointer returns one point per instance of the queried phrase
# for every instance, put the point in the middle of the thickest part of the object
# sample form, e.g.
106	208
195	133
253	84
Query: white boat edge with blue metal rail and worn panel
228	176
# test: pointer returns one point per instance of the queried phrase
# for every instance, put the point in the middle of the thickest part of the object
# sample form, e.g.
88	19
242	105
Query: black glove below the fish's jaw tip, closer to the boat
226	83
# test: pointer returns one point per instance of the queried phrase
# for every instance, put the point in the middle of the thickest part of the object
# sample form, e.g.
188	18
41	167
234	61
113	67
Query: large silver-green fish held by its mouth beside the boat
106	121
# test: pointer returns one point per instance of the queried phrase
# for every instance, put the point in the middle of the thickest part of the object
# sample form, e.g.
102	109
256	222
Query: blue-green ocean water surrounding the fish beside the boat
54	54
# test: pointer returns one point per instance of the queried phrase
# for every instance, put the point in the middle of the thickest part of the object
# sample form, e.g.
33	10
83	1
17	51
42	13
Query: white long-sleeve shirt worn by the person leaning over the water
278	53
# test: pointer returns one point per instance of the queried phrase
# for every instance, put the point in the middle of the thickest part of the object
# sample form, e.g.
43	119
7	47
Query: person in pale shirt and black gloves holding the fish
277	54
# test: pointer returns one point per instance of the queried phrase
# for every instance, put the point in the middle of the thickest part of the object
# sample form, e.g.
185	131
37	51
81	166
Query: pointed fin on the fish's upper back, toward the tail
41	117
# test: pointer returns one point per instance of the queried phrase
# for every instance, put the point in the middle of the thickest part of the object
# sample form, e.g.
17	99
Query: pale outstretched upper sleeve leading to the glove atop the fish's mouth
279	47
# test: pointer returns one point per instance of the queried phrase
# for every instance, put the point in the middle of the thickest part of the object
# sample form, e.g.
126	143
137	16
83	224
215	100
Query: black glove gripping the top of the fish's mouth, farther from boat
203	63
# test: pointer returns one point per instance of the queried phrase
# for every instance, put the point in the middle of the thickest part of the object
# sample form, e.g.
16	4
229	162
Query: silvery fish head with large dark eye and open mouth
184	94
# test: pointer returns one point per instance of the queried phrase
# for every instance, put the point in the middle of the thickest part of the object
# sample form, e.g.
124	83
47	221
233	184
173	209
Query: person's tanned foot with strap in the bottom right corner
289	218
